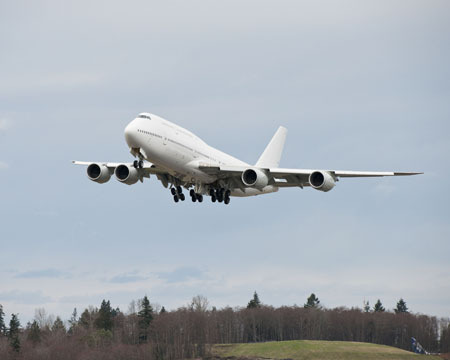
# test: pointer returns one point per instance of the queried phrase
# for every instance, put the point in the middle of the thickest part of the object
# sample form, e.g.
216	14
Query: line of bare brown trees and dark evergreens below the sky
149	332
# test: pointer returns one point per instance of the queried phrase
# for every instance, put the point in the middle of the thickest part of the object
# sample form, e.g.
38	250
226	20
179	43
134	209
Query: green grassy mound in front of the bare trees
312	350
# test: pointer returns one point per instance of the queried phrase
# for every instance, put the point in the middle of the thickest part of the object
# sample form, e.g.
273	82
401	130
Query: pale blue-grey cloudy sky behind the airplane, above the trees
359	86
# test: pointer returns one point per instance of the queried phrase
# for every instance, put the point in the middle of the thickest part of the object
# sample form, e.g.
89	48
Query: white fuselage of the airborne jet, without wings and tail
179	151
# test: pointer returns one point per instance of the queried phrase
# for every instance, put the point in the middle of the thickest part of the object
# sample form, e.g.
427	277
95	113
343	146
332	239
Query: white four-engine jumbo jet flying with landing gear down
180	159
